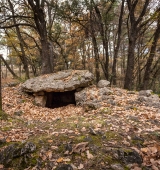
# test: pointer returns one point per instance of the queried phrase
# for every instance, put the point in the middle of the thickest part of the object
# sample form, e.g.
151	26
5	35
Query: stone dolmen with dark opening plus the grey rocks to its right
76	87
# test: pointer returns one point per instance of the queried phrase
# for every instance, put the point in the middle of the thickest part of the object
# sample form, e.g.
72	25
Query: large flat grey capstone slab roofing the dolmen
61	81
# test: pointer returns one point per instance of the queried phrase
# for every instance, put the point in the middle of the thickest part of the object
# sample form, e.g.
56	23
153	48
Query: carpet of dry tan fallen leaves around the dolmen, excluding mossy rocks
139	120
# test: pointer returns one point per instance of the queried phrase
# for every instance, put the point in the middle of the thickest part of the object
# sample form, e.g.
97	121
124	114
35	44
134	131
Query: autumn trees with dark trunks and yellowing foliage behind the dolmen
115	40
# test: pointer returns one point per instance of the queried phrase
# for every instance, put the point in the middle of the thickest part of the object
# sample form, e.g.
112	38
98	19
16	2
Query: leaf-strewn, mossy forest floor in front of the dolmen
114	137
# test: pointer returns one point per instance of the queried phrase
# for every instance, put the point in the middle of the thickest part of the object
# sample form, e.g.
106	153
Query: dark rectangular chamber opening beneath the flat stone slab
59	99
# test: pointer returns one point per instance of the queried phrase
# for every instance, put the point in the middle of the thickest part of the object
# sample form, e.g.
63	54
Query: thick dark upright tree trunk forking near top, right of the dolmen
135	28
